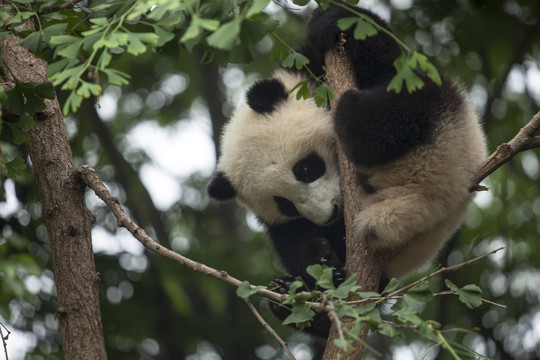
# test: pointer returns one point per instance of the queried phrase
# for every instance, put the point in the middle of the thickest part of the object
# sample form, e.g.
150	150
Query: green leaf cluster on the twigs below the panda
354	307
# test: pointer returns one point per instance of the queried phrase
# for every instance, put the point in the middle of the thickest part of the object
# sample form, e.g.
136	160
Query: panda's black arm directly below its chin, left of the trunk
301	243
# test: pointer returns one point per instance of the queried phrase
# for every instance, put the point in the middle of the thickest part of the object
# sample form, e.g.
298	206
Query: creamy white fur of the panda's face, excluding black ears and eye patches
258	152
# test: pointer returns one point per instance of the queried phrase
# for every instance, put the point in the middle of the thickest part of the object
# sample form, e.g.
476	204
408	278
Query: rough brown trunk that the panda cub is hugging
361	259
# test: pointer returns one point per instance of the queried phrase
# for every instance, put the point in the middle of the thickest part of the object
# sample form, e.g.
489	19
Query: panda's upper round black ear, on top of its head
266	94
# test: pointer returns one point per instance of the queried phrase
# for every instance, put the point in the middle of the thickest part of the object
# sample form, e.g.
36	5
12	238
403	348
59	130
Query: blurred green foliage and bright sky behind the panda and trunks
152	142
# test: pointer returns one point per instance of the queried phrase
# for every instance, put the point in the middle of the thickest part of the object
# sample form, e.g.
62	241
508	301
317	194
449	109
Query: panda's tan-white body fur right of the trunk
422	198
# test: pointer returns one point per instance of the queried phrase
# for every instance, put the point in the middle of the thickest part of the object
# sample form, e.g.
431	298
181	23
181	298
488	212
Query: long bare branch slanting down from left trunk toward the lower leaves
91	179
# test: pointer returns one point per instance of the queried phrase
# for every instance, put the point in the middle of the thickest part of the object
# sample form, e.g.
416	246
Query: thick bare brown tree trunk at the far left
66	217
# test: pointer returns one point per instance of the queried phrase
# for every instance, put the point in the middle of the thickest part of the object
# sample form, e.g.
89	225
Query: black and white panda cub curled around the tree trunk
416	153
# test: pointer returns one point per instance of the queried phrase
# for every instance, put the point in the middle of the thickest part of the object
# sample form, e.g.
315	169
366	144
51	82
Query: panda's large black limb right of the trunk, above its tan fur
376	126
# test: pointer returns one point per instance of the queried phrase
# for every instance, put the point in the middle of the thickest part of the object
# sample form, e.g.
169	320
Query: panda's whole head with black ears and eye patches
278	156
